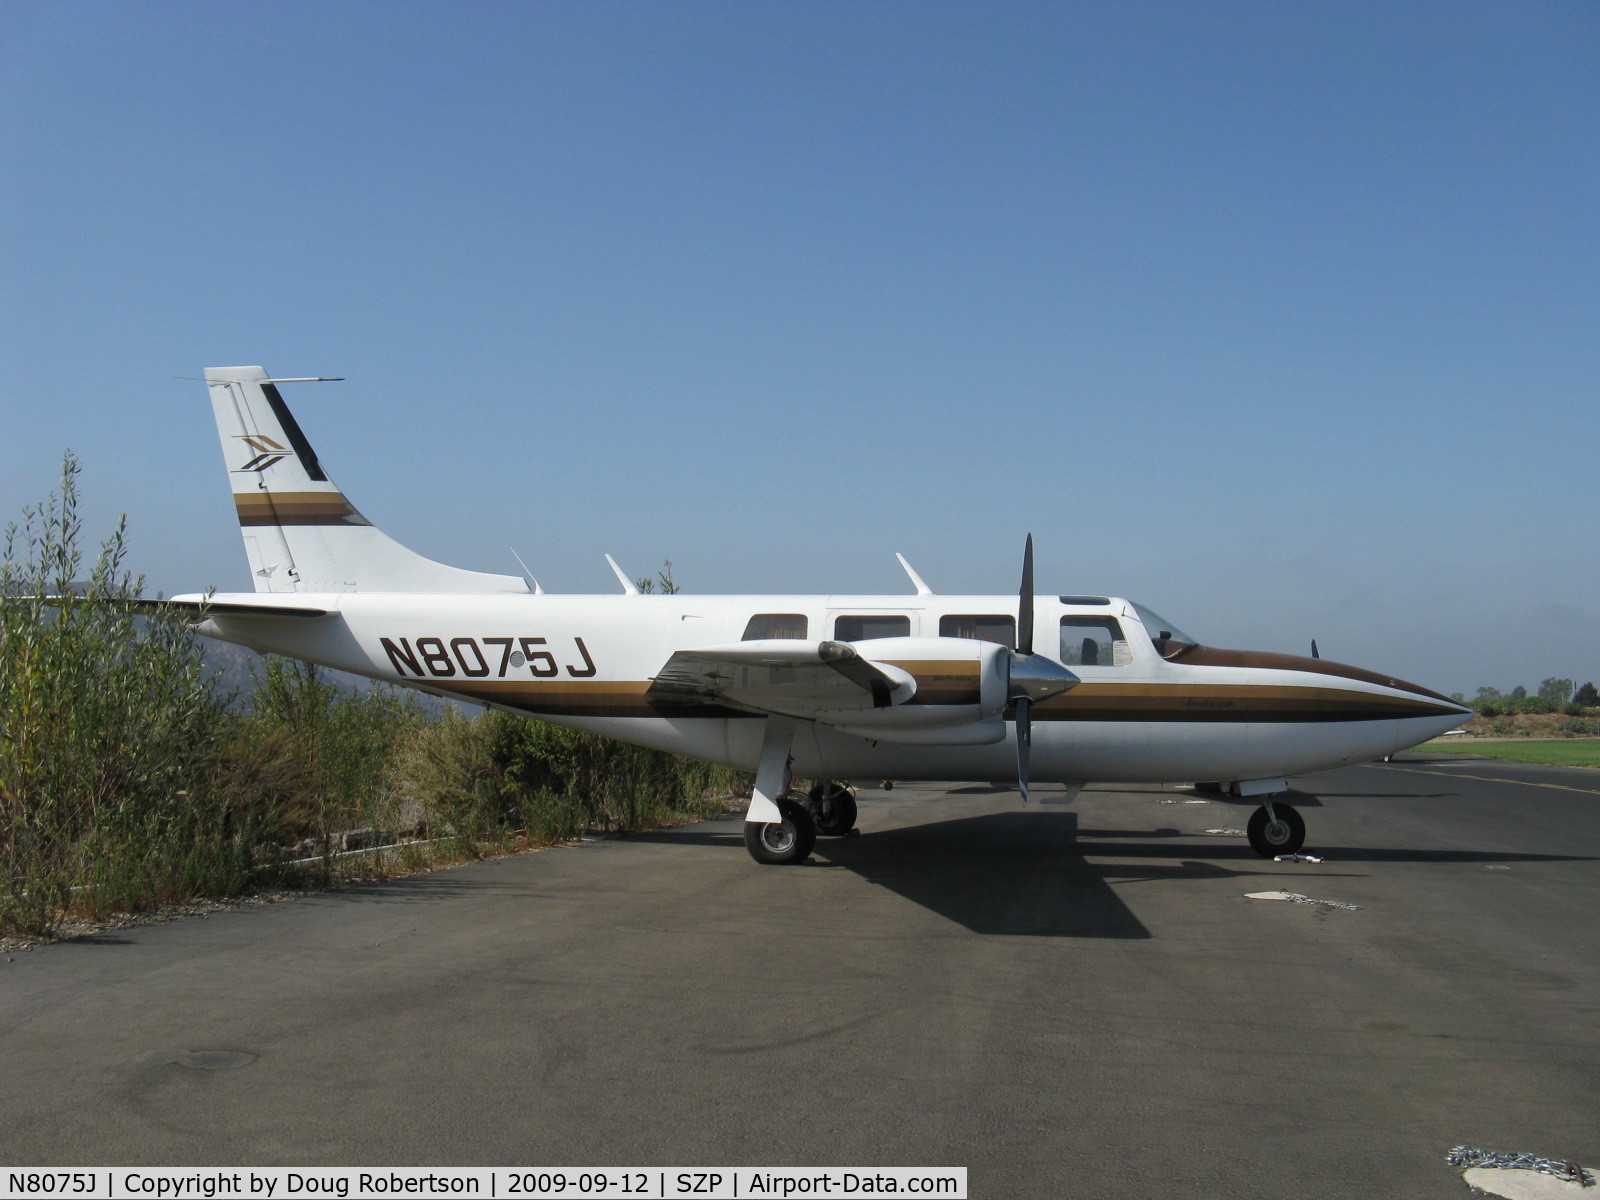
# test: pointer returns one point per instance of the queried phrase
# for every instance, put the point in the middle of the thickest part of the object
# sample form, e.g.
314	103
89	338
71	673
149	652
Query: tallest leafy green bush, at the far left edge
108	727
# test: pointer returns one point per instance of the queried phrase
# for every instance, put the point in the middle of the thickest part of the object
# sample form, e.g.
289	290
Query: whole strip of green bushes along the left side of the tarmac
130	780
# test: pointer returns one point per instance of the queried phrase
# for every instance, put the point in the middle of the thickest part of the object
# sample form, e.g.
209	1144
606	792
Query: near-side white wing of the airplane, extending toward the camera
796	679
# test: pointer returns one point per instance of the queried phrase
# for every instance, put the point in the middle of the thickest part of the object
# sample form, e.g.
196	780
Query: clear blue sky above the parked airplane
1281	319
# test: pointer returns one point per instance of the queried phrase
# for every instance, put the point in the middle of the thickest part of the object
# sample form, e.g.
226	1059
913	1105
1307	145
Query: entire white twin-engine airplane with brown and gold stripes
1070	689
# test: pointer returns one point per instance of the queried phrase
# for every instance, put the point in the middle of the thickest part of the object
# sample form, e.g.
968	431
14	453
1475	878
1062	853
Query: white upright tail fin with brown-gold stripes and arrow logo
302	535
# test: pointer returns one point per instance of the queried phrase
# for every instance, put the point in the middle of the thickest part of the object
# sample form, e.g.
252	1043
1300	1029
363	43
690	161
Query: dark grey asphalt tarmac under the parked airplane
1076	1001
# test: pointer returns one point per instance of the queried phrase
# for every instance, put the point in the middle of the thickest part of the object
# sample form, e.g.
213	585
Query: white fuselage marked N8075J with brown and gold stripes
588	662
